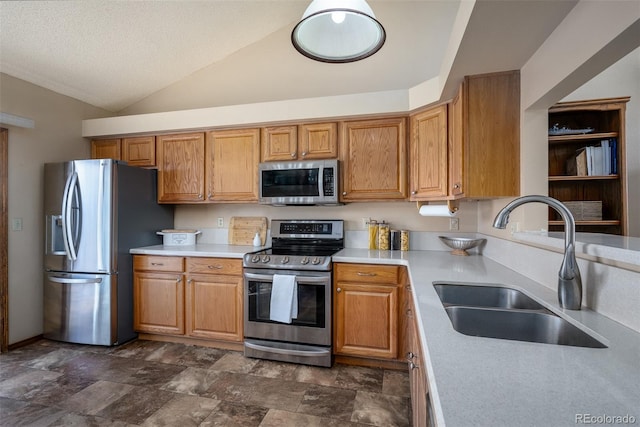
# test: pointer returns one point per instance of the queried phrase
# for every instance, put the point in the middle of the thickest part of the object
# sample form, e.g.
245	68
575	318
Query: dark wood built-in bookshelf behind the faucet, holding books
597	196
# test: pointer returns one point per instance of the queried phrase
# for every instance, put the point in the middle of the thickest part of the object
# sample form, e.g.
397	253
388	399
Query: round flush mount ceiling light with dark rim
338	31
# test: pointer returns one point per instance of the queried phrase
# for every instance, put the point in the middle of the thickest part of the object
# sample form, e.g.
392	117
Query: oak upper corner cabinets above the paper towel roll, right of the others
482	155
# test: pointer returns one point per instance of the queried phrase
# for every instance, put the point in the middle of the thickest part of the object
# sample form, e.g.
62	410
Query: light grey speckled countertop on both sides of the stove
475	381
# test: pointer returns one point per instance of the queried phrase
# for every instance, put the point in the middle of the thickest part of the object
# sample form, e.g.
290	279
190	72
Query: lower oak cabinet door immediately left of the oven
214	307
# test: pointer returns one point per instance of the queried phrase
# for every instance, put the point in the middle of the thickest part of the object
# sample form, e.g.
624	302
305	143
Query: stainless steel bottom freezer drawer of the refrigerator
80	308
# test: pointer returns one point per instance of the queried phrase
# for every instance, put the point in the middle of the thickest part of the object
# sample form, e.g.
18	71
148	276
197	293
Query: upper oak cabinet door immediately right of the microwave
374	156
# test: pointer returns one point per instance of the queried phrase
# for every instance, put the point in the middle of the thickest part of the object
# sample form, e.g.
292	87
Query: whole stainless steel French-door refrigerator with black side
95	211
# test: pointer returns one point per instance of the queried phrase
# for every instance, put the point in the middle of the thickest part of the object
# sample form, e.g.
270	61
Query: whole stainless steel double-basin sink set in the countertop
506	313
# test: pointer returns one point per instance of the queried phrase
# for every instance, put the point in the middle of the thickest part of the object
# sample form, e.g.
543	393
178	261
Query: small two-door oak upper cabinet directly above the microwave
304	142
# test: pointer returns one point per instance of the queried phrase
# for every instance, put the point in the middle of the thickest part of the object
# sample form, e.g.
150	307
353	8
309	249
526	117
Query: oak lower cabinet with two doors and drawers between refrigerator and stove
192	297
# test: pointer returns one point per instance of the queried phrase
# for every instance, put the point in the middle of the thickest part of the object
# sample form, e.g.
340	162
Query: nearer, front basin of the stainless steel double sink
517	325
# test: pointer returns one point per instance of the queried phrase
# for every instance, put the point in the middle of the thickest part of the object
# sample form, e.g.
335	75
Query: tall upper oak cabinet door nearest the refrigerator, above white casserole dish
181	168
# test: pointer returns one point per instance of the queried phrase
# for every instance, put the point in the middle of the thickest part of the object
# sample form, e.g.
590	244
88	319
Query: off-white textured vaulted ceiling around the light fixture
133	56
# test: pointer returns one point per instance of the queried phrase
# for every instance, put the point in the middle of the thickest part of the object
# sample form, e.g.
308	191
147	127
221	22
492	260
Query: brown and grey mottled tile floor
149	383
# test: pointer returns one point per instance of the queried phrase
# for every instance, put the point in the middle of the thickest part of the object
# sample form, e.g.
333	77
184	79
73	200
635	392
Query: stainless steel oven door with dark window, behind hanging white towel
313	323
